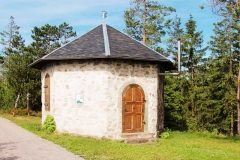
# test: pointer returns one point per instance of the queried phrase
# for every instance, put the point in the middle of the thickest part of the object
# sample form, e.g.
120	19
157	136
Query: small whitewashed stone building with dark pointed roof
104	84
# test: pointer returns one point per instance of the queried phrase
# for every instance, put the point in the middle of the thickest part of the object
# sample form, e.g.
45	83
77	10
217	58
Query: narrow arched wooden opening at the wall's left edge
47	92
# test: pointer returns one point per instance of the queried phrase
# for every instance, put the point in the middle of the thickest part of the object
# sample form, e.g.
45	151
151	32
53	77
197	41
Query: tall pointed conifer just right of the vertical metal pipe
192	57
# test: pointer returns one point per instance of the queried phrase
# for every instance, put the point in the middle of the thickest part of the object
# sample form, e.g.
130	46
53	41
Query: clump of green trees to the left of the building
20	79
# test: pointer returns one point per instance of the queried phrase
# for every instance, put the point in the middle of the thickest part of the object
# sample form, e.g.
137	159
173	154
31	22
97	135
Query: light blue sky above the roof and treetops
85	15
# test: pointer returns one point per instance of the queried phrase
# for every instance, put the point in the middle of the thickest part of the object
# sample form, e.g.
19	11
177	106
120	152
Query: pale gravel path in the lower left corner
19	144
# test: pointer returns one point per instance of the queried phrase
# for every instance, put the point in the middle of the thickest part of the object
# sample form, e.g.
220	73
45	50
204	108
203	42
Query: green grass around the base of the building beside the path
179	146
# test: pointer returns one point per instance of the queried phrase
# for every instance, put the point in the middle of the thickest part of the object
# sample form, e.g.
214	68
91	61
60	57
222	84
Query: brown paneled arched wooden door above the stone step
133	101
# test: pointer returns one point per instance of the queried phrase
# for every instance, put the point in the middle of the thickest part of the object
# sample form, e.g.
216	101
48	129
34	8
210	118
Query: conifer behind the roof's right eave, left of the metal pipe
173	96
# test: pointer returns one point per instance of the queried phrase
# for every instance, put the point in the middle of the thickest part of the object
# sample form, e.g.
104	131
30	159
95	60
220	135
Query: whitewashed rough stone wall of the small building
101	84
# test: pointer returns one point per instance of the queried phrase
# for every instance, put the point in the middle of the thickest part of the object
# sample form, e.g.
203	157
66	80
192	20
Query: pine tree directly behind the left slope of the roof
45	39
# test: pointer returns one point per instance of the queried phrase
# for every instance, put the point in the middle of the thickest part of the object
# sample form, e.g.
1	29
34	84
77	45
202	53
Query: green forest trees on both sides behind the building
202	97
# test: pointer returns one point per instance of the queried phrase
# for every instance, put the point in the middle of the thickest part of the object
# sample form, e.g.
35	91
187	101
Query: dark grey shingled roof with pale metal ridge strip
104	41
